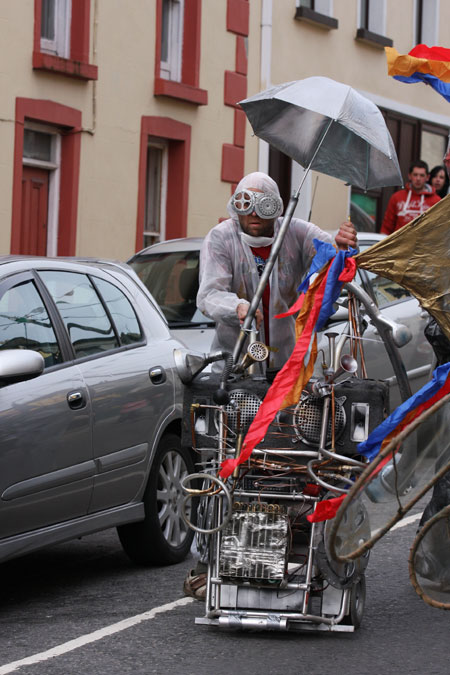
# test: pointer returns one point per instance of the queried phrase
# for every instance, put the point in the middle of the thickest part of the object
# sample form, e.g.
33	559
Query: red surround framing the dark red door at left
68	119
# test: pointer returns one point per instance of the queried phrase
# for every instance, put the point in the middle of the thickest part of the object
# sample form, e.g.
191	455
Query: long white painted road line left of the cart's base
92	637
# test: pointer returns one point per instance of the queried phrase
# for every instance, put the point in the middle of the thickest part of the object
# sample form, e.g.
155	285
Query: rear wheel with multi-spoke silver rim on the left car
162	538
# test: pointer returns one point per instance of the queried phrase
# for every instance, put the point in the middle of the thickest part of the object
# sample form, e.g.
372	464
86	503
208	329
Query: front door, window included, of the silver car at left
46	462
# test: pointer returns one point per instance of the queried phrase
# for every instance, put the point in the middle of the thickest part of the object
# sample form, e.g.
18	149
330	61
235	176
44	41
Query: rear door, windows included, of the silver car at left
127	370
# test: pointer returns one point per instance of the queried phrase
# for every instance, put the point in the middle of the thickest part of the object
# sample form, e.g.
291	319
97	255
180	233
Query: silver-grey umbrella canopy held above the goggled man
327	126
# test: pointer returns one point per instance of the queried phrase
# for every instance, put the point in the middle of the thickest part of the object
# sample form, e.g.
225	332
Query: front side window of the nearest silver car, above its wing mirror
25	324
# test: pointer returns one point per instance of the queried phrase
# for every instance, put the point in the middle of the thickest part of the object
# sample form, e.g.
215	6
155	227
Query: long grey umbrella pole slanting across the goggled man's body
246	326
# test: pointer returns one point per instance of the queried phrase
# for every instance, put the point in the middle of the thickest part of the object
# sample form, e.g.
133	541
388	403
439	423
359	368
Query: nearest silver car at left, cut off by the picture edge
90	410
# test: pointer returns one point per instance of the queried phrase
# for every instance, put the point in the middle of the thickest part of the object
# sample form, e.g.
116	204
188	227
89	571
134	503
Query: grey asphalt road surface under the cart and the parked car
56	599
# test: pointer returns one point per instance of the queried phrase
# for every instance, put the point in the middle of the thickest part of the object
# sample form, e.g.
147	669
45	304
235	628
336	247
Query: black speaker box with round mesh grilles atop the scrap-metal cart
360	405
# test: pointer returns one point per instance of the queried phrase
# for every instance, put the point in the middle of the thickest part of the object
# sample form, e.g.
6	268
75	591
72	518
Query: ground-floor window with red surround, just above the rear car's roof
163	186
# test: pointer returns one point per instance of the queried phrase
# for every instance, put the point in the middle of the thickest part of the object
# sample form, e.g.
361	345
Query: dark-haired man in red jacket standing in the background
414	199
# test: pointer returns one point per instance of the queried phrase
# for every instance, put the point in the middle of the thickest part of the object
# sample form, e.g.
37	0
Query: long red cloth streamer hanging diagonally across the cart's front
281	386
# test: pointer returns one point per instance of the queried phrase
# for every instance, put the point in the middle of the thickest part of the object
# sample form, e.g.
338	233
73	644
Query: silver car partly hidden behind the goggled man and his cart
170	272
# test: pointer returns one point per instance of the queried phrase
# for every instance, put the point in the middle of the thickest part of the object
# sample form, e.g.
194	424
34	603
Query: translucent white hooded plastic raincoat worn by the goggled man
228	276
